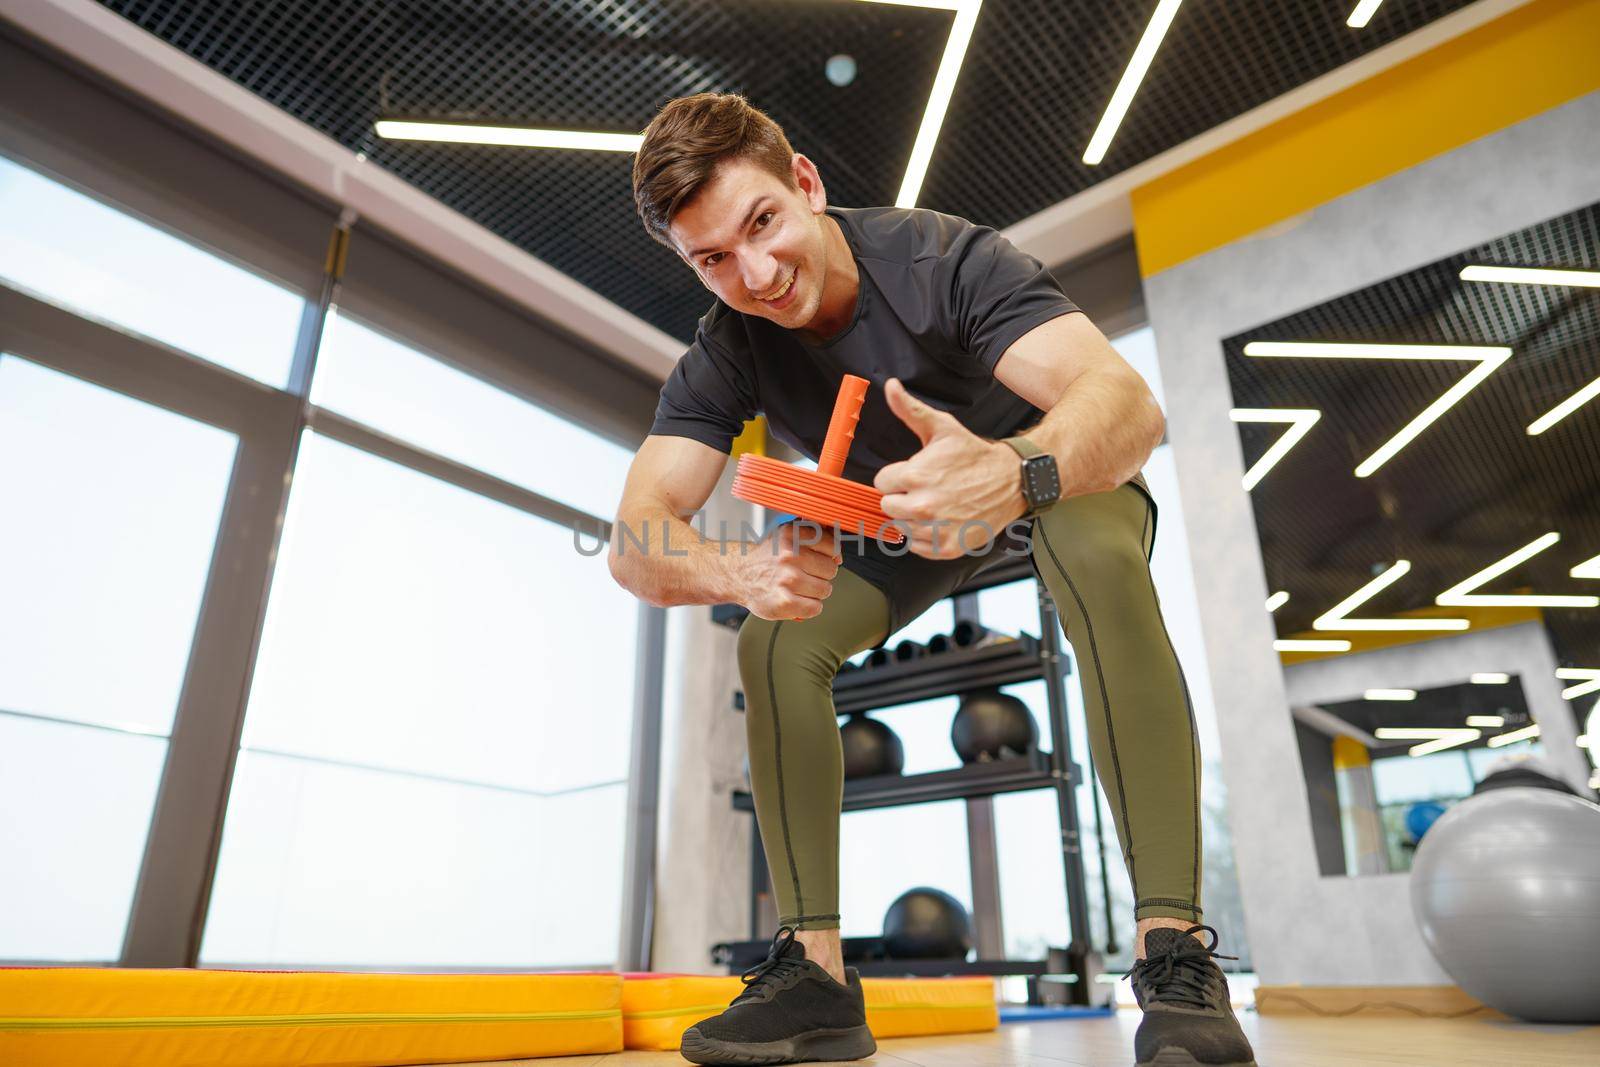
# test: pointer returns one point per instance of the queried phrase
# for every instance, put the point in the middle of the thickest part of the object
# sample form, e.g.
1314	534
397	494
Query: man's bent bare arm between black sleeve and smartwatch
1102	420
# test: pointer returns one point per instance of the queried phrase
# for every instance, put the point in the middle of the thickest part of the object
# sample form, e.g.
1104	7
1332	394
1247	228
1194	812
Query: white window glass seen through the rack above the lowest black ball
887	852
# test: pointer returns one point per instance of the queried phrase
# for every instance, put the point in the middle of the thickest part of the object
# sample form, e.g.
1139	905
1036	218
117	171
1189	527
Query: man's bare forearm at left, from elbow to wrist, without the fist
666	562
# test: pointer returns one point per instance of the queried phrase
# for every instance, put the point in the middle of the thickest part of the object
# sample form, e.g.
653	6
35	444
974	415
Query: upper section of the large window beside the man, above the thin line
417	626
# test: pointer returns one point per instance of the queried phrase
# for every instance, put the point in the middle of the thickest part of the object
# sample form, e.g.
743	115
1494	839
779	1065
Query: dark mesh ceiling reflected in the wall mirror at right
1471	489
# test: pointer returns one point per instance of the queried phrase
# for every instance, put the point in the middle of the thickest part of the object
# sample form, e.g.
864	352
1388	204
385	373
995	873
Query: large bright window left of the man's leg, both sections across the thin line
436	746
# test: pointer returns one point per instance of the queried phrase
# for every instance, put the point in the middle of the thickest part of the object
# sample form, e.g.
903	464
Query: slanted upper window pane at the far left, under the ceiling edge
98	262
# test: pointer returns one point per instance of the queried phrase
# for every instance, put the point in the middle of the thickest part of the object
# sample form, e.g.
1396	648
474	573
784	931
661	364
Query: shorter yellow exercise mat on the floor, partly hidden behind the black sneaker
658	1009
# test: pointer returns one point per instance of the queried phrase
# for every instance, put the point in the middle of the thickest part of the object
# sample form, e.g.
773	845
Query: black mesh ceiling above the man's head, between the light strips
1033	89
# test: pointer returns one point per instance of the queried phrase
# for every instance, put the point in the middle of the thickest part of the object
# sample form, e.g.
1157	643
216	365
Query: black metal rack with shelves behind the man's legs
946	674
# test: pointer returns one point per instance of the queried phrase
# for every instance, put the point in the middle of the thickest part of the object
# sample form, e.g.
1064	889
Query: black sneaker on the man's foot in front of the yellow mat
791	1012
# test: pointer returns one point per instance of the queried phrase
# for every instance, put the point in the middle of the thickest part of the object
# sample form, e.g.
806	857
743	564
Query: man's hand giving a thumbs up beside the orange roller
956	495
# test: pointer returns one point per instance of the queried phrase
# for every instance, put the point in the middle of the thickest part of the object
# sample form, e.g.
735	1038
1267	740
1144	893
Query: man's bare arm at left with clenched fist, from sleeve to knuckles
660	557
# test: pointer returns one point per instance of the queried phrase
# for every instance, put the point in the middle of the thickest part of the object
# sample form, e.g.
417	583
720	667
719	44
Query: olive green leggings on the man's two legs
1094	554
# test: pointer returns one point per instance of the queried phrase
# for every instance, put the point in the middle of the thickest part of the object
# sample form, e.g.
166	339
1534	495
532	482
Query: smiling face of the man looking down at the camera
758	242
